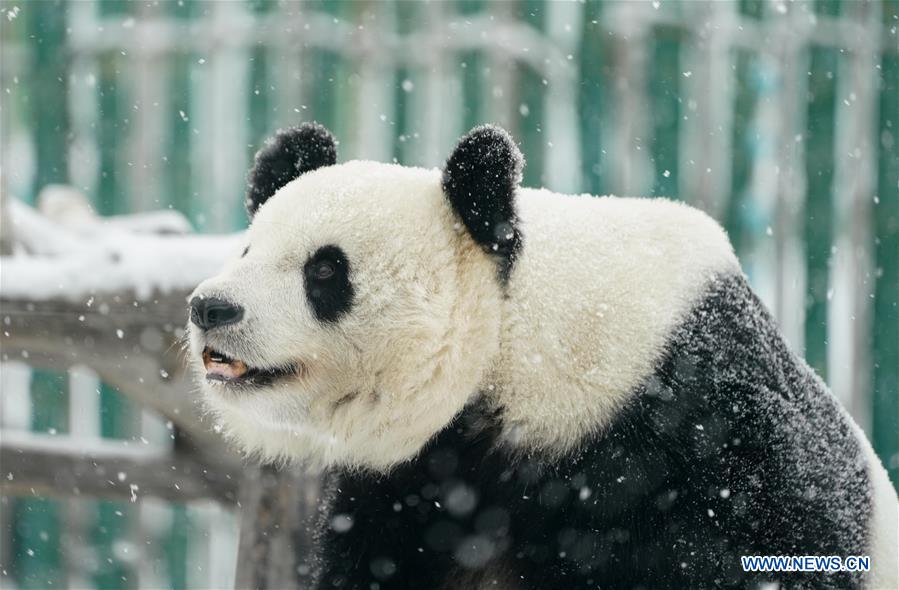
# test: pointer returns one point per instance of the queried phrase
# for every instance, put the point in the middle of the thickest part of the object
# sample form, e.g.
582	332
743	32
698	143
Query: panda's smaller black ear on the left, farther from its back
289	154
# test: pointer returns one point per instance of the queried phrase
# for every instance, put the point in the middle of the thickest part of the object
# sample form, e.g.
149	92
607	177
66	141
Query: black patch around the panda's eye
328	287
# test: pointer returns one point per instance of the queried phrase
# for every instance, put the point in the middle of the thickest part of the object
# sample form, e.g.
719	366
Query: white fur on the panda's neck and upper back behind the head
586	319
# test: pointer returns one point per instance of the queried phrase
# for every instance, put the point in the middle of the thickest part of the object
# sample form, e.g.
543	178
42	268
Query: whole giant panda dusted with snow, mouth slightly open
510	388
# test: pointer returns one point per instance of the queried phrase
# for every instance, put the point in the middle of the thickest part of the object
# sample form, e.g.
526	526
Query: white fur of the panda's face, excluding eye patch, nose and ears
401	364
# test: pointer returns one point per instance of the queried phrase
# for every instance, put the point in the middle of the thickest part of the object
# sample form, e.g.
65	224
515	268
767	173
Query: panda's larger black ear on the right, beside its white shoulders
480	179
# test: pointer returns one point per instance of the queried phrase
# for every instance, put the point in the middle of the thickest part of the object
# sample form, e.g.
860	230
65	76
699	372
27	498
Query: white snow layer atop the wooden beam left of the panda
144	253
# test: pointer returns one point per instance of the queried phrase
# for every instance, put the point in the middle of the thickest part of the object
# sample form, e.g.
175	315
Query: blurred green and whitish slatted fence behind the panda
780	119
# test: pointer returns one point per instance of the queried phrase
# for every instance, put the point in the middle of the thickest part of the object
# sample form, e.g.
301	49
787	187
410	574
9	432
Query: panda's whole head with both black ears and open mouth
364	309
